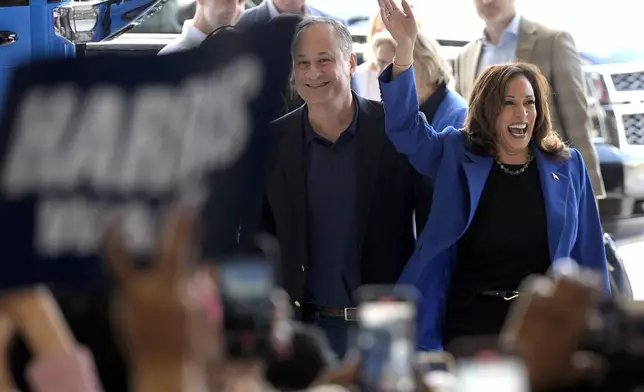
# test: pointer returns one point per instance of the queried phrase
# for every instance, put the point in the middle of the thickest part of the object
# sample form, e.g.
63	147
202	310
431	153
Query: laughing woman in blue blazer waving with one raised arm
510	199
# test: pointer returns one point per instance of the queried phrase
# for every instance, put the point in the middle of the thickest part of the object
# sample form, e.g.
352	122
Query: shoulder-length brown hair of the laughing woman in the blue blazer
486	102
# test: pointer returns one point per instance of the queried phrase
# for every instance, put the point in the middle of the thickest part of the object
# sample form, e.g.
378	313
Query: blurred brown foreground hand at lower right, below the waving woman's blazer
546	325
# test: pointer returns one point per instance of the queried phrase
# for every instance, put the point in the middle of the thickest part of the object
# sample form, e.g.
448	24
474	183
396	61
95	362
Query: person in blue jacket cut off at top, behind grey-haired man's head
269	9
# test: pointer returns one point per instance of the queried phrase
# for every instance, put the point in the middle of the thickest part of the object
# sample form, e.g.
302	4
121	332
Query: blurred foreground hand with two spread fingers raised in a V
150	311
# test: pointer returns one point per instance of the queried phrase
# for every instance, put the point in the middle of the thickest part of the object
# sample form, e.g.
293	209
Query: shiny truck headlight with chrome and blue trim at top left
94	21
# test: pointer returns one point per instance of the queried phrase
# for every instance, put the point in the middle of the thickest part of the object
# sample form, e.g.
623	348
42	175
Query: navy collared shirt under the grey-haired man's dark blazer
334	263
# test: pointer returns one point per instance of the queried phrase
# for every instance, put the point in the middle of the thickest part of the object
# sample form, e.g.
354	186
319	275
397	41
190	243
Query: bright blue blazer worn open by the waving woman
574	228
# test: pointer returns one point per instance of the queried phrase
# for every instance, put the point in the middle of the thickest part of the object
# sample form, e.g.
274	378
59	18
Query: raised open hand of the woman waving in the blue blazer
401	24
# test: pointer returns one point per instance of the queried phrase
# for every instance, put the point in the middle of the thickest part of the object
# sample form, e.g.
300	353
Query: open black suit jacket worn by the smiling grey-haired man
389	191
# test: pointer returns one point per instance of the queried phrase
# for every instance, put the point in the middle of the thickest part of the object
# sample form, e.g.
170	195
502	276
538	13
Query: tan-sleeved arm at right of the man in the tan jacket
572	106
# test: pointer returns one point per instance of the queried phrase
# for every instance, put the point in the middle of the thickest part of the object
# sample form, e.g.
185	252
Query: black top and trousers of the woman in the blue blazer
506	241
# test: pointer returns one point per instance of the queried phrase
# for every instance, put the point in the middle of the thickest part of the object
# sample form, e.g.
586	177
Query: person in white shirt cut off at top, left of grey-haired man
210	15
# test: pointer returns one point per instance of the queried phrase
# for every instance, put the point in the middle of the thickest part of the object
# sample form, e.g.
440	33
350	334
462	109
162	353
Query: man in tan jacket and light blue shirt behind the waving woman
509	37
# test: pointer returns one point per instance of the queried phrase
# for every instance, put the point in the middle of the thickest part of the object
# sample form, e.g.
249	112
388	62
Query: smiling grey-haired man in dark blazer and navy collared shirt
339	198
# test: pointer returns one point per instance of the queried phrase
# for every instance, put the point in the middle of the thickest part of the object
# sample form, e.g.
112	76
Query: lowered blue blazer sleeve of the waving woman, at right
589	250
